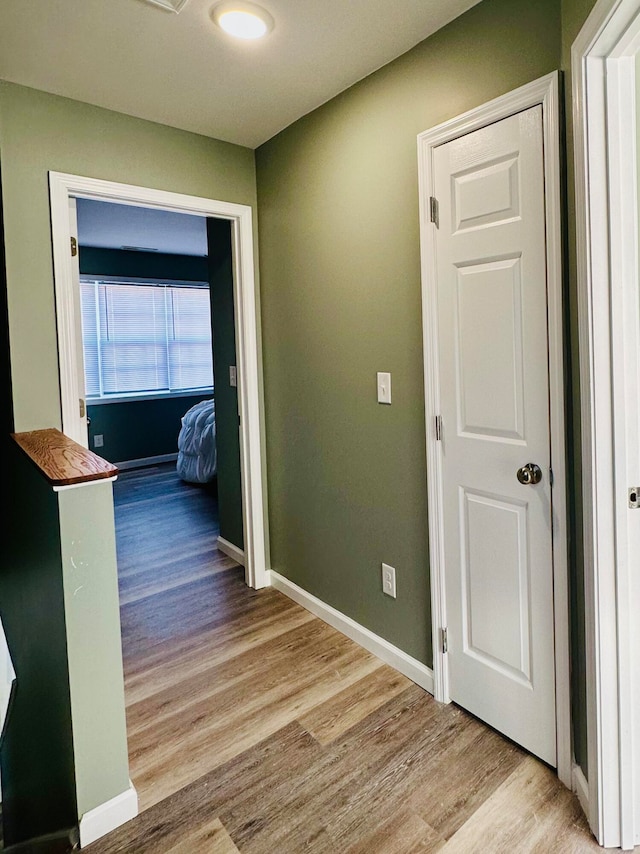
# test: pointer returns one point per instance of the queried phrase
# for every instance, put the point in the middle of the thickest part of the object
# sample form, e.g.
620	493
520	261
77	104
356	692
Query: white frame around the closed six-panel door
544	92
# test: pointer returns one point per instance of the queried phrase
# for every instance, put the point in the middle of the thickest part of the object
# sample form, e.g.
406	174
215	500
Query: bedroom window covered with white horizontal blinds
142	338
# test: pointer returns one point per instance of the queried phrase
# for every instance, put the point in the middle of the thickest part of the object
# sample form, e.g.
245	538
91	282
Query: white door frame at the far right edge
605	137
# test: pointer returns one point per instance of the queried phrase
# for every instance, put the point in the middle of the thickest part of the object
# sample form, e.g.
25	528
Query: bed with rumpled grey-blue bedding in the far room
197	456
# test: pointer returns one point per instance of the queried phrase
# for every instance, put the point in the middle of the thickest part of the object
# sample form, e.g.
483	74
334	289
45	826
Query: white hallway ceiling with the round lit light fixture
180	70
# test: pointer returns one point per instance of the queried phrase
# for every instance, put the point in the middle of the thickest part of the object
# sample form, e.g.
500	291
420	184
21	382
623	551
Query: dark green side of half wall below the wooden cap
36	755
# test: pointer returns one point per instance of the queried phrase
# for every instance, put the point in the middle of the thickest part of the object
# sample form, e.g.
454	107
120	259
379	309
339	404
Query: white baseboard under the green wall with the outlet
387	652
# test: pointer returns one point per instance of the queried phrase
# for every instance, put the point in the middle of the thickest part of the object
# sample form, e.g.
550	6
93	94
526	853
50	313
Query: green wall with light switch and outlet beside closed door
340	282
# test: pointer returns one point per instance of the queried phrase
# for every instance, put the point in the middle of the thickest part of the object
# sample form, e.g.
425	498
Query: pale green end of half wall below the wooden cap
92	619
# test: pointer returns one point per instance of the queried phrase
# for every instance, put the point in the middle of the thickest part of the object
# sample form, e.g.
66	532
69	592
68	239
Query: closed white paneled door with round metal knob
494	392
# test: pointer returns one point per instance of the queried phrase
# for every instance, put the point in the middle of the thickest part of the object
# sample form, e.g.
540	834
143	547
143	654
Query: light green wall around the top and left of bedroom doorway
41	132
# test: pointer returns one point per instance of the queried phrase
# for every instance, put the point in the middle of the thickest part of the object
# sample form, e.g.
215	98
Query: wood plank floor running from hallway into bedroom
255	727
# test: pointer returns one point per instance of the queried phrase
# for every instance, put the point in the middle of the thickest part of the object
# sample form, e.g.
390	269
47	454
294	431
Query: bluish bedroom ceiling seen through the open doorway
109	225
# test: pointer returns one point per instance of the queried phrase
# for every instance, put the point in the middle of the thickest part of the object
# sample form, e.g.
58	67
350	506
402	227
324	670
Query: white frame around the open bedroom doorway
61	188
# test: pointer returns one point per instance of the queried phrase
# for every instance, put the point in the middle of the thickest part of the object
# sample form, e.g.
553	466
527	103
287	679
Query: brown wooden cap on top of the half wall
62	461
